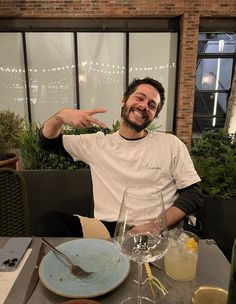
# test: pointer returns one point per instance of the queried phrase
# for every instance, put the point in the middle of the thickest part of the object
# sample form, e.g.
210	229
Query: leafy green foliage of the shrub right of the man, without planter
214	157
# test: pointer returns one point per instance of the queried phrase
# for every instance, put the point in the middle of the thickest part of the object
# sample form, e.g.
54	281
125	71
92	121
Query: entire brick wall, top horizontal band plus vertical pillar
189	11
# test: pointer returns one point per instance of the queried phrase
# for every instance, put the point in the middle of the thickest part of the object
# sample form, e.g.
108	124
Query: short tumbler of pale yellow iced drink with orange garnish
182	255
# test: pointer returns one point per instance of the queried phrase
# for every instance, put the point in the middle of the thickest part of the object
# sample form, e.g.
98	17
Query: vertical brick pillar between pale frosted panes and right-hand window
189	25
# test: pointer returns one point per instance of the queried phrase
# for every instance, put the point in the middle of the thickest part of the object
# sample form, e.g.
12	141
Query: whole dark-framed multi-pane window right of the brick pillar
216	61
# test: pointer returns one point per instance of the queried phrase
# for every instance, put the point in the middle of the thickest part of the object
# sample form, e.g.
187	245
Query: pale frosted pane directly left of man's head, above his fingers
102	73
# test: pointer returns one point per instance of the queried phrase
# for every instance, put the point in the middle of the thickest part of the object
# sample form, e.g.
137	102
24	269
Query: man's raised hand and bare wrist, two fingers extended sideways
73	117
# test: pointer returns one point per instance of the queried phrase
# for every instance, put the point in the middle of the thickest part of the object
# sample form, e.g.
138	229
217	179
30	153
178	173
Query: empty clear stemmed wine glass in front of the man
141	231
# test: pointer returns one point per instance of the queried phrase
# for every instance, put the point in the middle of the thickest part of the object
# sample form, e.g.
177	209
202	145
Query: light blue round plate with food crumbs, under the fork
102	257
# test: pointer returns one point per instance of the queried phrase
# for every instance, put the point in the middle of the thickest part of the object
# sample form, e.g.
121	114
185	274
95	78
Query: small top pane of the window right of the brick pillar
217	43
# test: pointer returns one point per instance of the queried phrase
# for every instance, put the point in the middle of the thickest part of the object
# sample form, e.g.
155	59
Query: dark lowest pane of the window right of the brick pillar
209	111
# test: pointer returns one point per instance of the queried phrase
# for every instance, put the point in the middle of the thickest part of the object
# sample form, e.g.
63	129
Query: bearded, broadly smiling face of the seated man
139	110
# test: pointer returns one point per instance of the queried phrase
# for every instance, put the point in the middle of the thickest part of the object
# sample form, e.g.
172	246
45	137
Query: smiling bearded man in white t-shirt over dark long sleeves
132	155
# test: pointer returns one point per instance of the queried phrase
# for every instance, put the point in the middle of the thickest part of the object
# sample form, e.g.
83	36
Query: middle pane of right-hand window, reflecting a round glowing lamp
214	74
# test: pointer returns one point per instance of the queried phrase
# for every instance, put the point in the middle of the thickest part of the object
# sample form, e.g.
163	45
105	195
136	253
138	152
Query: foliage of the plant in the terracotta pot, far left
11	125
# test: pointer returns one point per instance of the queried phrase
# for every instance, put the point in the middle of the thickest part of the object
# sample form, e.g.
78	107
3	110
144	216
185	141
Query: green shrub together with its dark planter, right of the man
214	157
